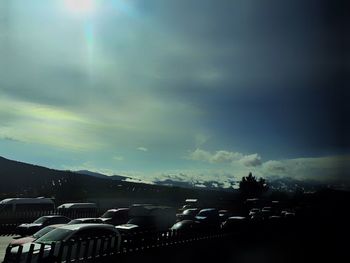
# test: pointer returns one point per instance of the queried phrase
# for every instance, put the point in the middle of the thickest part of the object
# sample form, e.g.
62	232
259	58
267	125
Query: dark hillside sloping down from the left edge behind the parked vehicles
18	179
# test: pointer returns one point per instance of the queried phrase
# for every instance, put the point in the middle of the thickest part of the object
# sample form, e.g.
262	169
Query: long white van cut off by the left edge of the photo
26	204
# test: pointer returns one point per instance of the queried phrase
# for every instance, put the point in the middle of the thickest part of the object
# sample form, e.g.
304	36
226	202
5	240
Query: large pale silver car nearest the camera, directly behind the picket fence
67	233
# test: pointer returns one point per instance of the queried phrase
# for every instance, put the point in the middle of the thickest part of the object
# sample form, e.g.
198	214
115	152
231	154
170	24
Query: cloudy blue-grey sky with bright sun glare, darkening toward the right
190	90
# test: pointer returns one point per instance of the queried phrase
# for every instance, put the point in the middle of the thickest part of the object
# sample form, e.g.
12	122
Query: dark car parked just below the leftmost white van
41	222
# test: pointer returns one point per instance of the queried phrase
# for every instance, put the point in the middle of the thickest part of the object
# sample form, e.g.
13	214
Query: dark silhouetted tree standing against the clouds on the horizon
250	186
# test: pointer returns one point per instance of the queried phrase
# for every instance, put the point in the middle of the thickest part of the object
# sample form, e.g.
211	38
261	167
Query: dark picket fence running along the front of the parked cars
106	248
